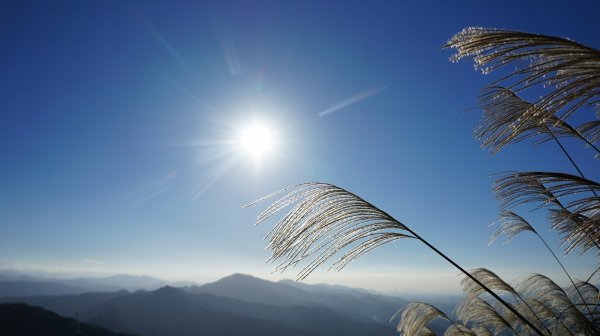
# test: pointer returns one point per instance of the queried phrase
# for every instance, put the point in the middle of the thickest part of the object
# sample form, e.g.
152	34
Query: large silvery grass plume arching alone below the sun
325	220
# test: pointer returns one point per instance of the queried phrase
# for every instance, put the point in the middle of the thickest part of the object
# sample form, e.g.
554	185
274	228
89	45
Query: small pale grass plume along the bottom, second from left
475	311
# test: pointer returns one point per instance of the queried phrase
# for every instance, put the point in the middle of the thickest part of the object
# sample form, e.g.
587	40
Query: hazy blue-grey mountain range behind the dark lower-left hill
235	305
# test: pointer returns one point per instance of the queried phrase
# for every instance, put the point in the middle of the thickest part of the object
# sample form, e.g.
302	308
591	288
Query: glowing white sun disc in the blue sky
258	139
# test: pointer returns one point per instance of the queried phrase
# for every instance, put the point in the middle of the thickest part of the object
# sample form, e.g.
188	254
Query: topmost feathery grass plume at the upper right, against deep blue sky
570	69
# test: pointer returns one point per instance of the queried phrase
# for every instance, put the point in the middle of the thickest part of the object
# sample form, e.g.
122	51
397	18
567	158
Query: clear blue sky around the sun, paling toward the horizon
118	119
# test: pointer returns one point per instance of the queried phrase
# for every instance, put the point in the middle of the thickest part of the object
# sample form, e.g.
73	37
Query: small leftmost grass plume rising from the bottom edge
415	316
